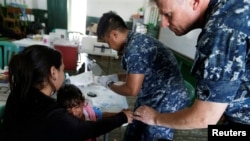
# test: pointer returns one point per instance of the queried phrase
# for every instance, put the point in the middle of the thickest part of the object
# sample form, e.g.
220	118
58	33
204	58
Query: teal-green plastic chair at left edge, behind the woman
7	50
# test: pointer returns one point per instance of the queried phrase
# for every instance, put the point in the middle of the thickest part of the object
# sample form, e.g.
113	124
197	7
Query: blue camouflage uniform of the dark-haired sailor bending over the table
163	87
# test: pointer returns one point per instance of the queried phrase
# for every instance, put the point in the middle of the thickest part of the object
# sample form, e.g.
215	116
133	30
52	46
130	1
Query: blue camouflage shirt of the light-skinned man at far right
222	61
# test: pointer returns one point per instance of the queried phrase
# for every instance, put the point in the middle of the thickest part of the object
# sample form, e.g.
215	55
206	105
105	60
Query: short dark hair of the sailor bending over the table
109	21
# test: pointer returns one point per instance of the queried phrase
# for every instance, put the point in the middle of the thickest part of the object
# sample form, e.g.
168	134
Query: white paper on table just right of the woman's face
82	79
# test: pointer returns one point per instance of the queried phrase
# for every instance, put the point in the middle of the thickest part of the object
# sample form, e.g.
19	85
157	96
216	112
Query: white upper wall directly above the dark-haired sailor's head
125	8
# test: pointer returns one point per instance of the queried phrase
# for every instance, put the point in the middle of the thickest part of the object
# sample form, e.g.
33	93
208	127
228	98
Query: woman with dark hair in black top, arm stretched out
31	113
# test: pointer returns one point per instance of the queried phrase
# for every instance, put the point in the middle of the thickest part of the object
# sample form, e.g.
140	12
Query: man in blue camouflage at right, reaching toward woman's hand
222	62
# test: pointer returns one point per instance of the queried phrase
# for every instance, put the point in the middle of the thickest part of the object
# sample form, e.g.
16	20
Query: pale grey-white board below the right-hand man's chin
183	44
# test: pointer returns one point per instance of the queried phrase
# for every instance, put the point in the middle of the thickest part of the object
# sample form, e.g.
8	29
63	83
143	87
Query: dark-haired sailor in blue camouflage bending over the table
152	74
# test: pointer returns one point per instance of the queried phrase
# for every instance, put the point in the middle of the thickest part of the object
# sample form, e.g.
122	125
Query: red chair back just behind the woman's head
70	56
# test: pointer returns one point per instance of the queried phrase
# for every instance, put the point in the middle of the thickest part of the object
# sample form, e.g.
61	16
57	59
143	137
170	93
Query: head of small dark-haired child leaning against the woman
69	96
